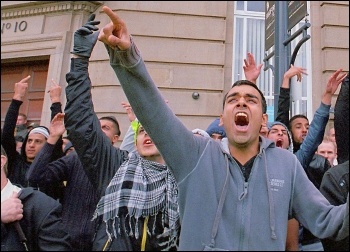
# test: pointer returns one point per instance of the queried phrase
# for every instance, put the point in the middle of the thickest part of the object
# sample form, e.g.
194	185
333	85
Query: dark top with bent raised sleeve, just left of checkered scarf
80	198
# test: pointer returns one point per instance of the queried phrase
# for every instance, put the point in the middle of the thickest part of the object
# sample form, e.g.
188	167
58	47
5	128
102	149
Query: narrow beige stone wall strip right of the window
329	44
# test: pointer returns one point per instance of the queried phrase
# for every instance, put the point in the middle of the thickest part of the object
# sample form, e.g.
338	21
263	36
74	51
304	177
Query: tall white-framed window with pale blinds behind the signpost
249	36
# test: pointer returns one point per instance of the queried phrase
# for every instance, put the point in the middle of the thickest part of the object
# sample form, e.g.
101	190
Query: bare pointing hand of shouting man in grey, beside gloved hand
115	33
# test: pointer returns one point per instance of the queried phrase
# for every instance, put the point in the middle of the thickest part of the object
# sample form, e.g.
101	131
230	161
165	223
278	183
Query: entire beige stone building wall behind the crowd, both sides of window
187	47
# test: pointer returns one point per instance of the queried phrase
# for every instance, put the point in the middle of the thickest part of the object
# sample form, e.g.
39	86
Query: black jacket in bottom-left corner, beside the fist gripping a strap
41	224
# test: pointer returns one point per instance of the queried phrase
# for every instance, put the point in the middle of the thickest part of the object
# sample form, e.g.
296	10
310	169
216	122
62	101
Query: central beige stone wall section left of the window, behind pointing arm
183	46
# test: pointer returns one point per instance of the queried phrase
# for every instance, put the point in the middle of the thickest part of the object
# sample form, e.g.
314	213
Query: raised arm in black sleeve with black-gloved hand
99	157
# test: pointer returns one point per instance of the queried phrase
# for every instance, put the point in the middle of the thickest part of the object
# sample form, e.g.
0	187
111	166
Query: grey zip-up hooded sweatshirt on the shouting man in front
251	215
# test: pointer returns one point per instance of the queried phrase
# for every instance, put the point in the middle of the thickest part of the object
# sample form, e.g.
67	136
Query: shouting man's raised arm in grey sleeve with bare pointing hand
146	100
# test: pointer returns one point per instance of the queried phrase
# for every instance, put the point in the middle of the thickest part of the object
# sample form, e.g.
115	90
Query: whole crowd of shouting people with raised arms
241	184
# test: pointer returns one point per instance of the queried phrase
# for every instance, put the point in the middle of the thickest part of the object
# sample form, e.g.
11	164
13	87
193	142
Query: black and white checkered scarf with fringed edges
141	188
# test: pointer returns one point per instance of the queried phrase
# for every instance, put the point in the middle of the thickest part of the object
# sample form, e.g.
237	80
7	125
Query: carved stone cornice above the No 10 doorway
45	7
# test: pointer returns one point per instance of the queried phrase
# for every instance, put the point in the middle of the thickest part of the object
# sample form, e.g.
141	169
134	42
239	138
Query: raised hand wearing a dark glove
85	38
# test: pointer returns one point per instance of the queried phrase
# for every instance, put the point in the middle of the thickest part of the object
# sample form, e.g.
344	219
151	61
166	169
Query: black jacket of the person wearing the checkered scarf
100	159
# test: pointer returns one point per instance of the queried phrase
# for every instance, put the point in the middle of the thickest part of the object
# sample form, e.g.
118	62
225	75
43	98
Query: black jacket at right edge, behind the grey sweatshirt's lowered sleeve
335	187
